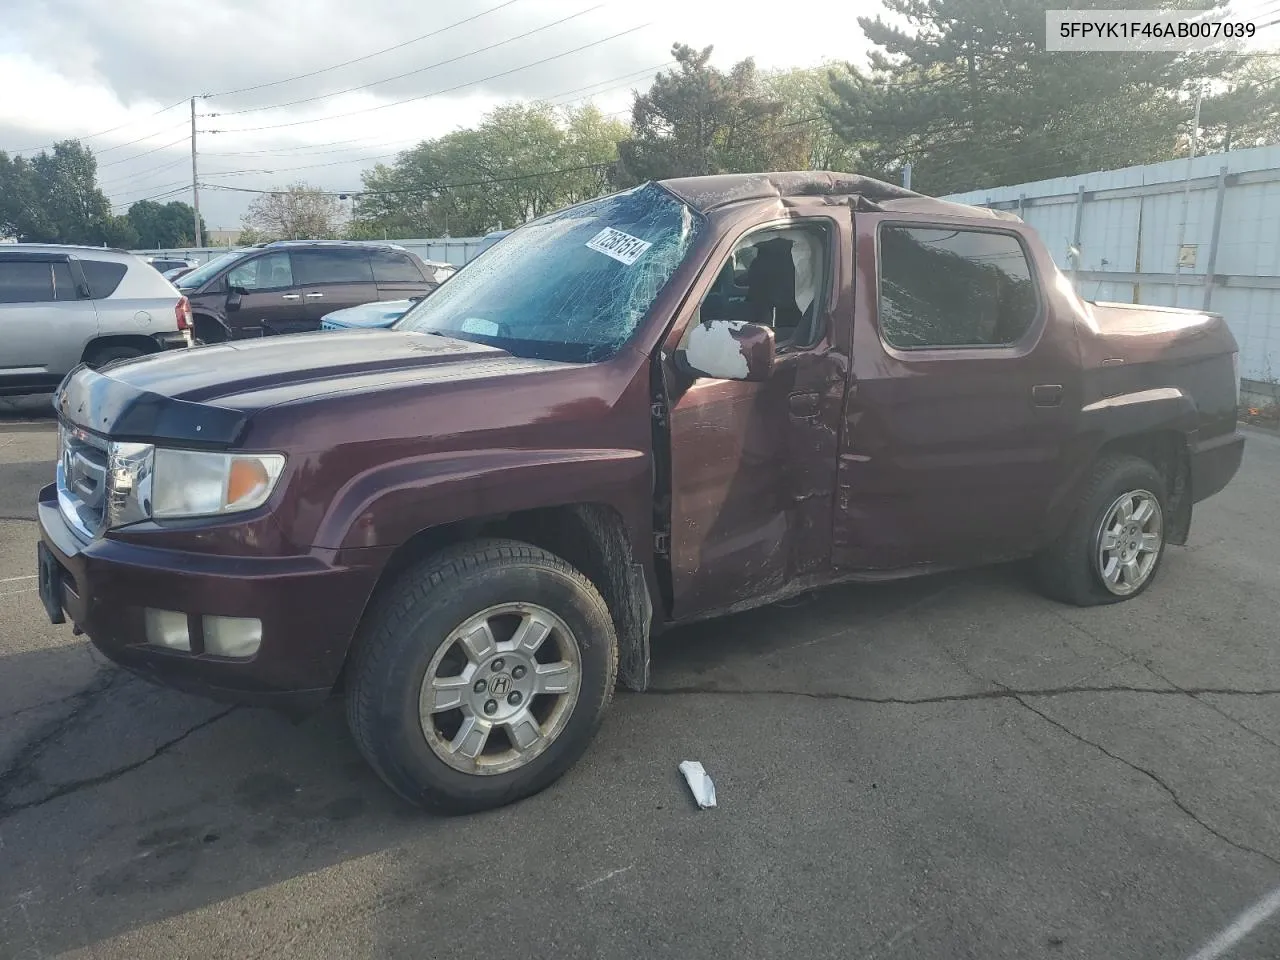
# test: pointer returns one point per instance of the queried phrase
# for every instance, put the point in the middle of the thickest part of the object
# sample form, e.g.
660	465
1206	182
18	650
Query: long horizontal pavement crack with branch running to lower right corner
1020	697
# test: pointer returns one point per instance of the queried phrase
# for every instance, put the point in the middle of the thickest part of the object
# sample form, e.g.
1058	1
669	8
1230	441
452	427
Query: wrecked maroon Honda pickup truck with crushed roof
680	401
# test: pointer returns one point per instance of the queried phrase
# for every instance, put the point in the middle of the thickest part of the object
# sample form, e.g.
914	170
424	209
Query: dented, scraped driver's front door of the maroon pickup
753	465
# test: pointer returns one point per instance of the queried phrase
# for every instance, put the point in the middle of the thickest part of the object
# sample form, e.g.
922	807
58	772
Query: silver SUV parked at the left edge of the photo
62	307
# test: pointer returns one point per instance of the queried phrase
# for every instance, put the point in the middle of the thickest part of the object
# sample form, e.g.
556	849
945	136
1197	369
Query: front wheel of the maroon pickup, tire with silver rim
412	633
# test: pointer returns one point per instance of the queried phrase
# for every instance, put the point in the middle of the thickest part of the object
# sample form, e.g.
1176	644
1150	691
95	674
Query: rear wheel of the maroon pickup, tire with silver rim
1073	569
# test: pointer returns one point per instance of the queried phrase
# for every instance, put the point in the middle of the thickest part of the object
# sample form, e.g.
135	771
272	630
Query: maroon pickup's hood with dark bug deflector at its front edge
204	396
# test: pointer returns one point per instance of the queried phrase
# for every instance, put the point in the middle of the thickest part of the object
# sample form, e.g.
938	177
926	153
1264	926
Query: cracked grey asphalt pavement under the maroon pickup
931	770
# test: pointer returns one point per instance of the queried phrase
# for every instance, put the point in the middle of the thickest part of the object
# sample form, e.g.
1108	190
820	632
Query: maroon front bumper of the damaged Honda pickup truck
309	607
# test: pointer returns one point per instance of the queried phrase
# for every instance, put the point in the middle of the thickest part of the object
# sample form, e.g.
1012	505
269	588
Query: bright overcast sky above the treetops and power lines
85	67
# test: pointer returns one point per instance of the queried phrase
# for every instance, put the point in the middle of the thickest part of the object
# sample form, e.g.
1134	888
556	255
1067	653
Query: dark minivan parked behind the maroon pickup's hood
289	286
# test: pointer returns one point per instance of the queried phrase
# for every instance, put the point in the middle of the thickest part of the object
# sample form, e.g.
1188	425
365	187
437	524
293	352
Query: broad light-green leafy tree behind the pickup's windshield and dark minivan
522	161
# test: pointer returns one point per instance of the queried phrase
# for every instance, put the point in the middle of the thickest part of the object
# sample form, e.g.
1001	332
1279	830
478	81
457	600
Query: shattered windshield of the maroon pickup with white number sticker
572	286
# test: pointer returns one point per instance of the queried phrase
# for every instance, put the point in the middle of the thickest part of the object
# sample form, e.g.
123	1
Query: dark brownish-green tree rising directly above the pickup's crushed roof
697	121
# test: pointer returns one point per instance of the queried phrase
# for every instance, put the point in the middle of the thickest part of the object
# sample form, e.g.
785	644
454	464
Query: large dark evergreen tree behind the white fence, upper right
970	95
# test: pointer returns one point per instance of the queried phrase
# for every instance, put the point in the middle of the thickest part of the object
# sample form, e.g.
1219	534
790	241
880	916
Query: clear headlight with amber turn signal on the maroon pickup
195	484
